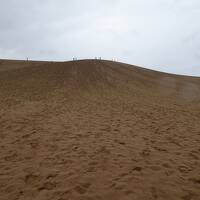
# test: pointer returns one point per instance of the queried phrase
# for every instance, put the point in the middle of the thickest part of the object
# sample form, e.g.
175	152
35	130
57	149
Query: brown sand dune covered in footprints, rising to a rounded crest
97	130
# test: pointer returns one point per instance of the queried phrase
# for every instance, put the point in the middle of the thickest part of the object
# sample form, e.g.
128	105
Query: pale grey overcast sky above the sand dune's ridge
158	34
